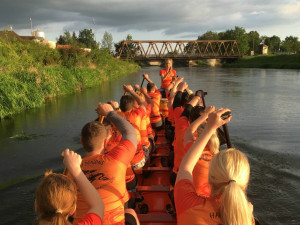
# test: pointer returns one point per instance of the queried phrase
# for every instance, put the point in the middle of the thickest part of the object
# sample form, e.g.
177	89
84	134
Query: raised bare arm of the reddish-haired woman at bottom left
94	201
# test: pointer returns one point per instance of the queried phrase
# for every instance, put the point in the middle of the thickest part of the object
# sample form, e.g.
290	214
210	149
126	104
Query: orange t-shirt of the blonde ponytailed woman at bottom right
193	209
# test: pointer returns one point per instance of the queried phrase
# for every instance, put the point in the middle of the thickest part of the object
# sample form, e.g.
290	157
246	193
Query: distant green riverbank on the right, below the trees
270	61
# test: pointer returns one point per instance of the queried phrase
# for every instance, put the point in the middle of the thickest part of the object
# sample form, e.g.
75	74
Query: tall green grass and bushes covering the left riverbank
31	72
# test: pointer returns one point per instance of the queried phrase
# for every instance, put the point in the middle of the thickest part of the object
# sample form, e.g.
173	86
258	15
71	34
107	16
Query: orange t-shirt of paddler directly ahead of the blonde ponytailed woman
200	172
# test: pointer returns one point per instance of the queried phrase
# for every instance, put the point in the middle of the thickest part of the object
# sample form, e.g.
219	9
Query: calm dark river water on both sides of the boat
265	104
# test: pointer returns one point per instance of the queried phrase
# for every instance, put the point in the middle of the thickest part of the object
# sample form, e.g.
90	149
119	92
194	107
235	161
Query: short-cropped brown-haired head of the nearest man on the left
93	135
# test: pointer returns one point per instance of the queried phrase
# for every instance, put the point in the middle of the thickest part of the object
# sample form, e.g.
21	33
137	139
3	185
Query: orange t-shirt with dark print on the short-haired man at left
107	173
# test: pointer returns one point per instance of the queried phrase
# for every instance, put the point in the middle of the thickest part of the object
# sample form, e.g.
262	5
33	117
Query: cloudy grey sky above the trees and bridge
152	19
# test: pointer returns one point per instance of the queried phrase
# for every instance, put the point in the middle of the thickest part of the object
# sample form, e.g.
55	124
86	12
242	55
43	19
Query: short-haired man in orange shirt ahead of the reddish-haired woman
107	171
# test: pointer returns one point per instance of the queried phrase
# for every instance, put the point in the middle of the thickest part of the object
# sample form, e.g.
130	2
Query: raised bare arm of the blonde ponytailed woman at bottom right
191	157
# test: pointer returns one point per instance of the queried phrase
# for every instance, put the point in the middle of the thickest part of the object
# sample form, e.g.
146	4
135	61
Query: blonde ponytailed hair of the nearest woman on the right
229	173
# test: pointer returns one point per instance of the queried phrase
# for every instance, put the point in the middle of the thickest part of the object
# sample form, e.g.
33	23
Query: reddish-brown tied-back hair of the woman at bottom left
56	197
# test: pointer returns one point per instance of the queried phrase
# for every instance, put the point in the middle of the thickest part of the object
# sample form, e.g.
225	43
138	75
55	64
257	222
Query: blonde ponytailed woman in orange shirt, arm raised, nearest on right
228	176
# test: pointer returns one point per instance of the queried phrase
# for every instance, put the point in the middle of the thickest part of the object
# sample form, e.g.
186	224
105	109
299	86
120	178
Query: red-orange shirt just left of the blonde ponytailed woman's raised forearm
181	125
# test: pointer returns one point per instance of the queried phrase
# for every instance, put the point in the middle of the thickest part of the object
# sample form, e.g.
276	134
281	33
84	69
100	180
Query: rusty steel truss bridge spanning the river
188	50
